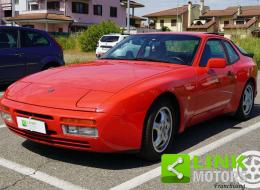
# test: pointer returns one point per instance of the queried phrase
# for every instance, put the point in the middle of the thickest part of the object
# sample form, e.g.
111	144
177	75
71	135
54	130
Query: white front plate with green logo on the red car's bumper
31	125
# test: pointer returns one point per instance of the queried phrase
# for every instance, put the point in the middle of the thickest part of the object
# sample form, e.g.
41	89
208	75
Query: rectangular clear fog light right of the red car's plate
84	131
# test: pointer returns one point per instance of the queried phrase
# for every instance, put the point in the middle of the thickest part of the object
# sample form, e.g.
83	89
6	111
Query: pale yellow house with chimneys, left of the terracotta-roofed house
177	19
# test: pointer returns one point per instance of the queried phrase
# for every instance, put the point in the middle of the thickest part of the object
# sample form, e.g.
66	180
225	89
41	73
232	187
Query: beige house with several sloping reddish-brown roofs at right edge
233	21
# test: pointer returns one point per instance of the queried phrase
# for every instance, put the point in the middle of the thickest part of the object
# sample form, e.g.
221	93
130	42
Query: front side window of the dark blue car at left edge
8	39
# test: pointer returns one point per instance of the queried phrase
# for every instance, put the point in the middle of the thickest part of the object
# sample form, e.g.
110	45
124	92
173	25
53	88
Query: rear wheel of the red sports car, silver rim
246	102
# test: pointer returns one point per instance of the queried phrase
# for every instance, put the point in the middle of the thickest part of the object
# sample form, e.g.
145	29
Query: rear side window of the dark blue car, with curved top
33	39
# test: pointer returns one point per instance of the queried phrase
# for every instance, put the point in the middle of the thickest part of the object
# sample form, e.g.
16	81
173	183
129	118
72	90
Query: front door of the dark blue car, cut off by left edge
12	63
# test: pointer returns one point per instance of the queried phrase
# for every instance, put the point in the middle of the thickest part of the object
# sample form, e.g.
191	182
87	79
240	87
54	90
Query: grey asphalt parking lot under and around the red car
27	165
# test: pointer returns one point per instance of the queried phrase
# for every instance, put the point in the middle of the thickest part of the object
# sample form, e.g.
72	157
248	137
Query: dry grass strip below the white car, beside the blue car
76	56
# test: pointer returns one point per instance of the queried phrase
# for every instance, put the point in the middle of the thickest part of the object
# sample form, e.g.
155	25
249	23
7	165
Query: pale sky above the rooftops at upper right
157	5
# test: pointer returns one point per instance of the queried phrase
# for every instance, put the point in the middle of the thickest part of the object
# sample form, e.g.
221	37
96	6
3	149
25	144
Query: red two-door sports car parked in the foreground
136	97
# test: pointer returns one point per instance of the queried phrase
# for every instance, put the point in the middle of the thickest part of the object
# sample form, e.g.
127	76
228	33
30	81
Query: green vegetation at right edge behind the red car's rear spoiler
251	45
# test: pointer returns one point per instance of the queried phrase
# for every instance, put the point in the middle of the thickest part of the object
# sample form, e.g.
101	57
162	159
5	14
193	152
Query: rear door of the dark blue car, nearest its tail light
35	47
